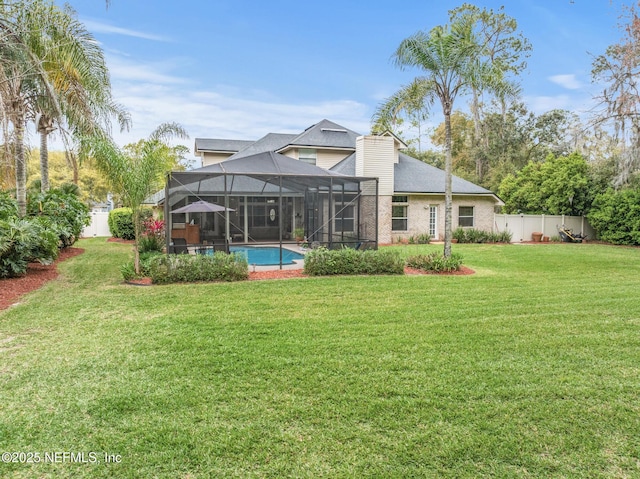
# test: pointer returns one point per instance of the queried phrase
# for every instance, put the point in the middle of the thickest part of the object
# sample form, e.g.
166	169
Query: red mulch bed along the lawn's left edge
11	289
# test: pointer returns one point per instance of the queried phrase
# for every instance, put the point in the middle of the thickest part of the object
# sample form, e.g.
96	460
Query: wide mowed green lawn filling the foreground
529	368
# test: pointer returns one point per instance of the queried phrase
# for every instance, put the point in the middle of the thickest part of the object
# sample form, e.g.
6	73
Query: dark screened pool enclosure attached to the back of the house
269	198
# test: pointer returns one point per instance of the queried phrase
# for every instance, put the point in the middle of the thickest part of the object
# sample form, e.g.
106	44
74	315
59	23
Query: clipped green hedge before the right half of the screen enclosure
321	261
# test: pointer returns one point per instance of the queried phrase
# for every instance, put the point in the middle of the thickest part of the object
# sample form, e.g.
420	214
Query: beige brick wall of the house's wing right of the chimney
418	214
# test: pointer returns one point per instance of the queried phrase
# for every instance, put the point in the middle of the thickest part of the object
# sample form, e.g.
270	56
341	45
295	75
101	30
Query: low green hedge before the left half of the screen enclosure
193	268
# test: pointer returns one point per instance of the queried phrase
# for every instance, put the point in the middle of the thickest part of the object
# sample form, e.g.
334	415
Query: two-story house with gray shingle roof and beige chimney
410	192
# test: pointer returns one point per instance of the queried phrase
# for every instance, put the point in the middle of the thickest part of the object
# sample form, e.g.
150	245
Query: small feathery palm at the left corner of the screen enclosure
137	172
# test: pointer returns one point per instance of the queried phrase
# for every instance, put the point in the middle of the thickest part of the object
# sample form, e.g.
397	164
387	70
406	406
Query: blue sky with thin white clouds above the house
240	69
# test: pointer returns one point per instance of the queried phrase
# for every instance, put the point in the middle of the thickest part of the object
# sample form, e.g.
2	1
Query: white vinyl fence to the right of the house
522	226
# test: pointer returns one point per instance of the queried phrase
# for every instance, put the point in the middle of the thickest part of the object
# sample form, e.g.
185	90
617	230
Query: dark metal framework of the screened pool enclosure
226	184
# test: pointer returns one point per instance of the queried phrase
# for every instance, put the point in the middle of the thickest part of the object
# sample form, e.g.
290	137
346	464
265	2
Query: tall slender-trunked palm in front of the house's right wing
453	64
